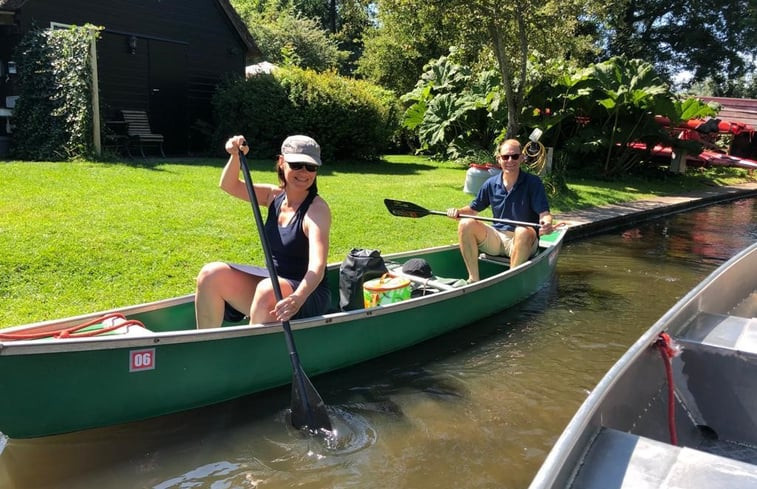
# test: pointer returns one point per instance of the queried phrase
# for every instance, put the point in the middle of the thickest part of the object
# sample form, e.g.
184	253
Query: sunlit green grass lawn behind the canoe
83	237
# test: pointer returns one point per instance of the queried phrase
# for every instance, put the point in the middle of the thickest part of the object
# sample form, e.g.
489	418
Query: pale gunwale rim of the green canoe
24	347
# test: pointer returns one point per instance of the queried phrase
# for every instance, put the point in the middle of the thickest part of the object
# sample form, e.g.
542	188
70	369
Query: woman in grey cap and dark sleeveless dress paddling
297	228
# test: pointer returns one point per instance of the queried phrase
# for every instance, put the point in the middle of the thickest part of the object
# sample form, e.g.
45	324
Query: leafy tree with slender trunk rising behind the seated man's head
515	37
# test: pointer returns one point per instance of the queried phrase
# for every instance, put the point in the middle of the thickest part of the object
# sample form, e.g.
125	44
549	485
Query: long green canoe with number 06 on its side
57	385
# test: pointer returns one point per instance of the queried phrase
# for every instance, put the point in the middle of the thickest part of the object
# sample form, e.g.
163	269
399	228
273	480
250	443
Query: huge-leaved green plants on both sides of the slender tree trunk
590	114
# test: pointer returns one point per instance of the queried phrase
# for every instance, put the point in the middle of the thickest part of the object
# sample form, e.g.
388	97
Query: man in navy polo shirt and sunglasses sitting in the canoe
513	195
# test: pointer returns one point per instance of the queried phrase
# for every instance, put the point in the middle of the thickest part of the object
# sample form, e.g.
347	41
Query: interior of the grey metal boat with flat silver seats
707	436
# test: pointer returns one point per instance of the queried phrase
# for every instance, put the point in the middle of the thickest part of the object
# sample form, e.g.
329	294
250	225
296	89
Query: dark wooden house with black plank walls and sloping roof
165	57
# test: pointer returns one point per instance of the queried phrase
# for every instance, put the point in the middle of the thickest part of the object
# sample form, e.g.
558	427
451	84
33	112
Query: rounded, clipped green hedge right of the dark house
349	118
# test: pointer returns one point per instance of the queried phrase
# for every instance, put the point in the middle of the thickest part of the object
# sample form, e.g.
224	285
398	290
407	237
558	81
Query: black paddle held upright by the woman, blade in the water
308	408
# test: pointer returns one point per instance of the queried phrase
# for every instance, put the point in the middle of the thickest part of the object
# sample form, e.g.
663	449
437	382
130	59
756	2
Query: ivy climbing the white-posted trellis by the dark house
53	116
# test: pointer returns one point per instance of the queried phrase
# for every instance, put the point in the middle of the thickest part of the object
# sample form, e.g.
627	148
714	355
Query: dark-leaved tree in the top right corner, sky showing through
711	39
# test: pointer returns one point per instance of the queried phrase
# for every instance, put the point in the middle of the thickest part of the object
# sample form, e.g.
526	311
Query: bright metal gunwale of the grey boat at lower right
567	444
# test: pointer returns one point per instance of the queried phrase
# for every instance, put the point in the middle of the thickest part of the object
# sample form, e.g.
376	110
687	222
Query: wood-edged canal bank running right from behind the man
595	220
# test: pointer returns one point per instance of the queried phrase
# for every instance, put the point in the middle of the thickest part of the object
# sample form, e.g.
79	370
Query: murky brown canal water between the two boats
477	408
